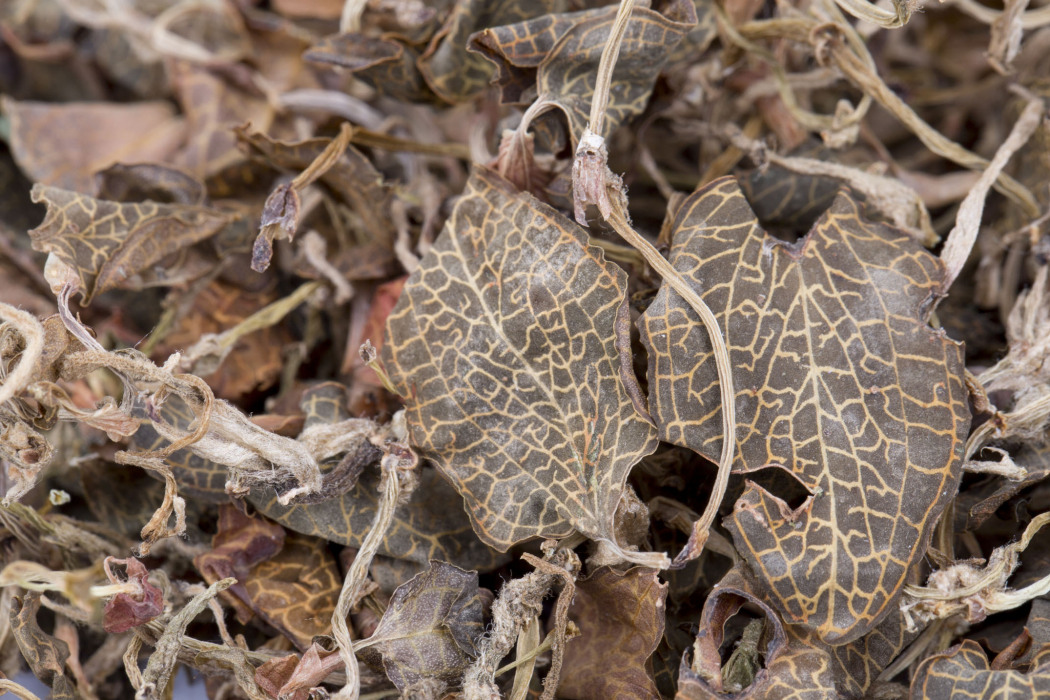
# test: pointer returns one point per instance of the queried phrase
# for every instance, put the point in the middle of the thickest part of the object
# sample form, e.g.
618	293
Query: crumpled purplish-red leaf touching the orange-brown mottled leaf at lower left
240	544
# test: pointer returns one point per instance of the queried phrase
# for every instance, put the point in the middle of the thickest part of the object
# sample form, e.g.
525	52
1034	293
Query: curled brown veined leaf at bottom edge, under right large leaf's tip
793	663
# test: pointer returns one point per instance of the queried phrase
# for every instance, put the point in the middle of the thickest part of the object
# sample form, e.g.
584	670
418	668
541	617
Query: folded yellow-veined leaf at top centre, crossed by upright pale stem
555	59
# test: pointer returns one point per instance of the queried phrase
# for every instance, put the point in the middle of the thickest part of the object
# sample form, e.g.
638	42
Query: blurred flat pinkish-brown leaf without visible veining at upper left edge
65	145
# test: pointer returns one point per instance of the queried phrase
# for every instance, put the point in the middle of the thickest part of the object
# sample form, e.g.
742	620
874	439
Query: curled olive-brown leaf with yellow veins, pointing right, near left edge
107	244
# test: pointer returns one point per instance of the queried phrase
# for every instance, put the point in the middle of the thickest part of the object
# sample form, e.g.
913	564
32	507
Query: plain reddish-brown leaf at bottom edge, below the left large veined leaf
622	617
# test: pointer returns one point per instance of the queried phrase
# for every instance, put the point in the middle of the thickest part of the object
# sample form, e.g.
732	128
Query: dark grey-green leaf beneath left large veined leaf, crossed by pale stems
425	528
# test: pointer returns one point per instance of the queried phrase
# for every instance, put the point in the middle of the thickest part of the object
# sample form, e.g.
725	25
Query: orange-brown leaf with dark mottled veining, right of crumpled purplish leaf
297	590
